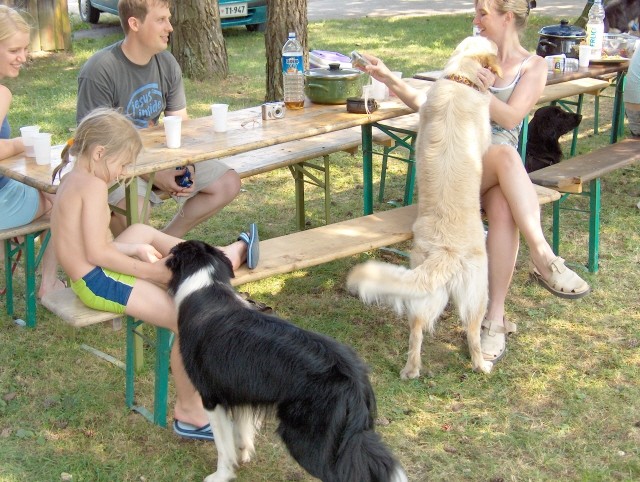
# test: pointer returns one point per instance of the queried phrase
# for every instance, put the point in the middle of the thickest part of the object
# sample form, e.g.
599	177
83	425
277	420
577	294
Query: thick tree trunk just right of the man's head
197	42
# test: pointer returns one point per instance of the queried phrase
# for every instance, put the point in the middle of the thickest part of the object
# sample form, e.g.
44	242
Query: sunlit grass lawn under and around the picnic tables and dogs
563	405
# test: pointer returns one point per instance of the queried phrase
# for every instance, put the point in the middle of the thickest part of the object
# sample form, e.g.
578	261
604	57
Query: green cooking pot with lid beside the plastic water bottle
333	85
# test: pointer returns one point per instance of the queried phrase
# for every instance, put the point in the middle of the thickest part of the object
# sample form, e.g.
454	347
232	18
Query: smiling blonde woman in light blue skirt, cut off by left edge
19	204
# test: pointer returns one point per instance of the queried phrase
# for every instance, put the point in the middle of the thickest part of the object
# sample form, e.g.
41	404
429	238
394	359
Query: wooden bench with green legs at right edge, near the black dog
571	176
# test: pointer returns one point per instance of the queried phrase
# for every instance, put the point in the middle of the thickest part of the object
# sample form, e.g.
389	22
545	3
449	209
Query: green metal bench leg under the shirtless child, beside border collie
163	342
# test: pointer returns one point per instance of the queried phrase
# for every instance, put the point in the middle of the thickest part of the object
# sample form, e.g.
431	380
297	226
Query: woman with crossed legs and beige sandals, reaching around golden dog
508	197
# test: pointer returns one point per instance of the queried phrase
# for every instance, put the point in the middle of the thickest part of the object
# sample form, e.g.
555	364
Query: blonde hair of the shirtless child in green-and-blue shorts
102	127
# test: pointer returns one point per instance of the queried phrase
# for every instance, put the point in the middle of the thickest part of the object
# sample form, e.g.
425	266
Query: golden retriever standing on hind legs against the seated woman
449	258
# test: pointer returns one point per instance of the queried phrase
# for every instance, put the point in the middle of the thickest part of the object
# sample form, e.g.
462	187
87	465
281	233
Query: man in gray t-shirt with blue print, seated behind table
139	76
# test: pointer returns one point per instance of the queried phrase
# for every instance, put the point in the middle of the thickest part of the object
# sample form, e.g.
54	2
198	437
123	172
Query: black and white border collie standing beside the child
245	364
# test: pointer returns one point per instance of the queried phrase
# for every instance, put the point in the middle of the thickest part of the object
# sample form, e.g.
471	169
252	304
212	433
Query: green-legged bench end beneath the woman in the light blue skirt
19	241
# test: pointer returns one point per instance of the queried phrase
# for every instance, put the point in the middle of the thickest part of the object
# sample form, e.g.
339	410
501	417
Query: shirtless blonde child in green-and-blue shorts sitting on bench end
126	274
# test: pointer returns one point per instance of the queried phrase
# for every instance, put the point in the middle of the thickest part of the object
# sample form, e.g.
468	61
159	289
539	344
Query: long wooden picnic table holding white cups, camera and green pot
246	132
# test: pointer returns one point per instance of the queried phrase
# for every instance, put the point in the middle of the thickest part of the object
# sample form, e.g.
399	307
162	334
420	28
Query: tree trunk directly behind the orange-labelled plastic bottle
283	16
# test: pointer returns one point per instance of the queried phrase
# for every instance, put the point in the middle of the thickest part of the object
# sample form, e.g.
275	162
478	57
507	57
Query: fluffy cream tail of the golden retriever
393	285
